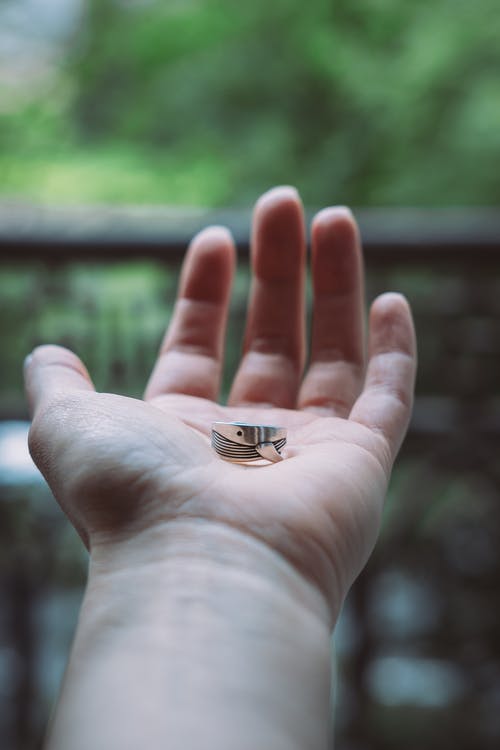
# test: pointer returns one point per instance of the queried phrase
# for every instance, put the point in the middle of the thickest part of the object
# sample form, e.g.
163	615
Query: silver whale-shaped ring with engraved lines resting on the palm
241	442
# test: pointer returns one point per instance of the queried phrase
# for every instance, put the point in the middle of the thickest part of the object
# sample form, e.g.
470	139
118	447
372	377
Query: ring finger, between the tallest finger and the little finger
335	373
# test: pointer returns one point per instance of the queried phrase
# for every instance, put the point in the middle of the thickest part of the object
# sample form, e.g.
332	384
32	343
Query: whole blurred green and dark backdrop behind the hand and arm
125	125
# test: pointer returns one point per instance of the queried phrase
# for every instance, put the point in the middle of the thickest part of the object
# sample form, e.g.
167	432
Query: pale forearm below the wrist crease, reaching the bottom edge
219	644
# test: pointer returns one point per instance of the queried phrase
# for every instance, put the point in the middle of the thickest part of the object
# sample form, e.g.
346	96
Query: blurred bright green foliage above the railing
210	101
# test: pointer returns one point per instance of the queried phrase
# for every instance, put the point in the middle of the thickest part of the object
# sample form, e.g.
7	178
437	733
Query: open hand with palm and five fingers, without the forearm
121	467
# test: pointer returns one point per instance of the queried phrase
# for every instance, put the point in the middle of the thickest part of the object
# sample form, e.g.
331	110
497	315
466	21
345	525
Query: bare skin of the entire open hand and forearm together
187	550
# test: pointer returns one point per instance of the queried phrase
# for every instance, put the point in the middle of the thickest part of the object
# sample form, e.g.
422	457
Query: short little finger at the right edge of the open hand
386	401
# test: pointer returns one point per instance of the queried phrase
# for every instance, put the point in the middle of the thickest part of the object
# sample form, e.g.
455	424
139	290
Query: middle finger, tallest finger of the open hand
273	351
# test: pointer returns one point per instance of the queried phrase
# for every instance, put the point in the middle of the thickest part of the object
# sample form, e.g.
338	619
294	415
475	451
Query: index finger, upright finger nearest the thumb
190	358
